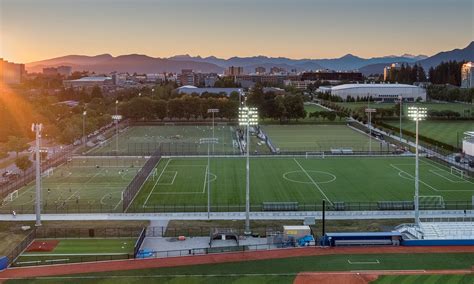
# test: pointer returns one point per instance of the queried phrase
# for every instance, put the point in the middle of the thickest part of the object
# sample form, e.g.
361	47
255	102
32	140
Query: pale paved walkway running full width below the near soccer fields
297	215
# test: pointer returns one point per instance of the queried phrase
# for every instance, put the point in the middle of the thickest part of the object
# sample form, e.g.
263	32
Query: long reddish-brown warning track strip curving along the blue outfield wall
119	265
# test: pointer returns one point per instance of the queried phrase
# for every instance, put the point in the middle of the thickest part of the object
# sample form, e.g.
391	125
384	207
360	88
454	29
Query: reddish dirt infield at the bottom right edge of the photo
362	277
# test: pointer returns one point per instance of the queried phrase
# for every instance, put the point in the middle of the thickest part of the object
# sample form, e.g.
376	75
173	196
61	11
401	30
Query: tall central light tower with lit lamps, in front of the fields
248	116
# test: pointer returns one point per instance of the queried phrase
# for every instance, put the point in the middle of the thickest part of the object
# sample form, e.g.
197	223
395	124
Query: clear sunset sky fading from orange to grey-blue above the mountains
32	30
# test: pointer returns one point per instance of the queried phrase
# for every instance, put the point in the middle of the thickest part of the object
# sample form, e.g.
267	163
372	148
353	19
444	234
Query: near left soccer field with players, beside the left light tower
88	184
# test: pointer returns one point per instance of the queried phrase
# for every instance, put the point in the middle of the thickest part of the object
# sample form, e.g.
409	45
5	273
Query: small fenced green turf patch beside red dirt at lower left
80	250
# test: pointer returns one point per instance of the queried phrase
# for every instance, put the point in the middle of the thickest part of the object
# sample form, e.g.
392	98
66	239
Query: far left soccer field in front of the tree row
138	140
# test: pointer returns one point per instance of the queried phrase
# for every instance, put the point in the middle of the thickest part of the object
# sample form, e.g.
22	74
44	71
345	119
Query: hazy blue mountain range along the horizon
131	63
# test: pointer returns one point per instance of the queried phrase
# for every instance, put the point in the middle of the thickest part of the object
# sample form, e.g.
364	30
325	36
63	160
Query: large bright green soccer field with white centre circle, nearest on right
181	183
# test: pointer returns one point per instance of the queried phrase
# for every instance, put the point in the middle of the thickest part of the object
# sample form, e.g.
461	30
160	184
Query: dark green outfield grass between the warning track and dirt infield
274	270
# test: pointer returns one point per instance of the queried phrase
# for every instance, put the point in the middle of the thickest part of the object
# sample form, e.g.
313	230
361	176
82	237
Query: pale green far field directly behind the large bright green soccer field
320	138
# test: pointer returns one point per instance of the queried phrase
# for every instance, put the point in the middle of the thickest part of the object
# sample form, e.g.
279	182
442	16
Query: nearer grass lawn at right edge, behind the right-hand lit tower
444	131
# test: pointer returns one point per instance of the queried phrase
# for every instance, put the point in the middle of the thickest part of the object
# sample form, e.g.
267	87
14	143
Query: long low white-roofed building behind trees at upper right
379	92
